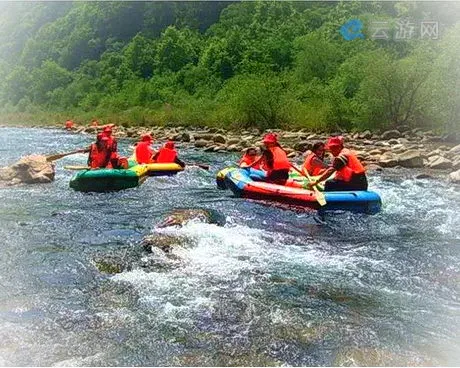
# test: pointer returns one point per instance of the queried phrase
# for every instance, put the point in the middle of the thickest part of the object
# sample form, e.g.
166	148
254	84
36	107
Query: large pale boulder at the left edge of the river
29	170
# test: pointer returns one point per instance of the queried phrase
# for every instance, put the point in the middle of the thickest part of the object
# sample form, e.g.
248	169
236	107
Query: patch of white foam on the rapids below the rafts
220	260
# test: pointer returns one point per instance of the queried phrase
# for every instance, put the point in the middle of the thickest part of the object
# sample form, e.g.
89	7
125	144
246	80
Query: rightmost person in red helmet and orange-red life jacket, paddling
350	174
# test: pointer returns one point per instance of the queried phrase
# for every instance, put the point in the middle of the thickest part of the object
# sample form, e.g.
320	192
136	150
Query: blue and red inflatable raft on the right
239	181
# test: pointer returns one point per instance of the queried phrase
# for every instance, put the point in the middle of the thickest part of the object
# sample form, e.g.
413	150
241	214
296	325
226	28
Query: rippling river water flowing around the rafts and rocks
270	287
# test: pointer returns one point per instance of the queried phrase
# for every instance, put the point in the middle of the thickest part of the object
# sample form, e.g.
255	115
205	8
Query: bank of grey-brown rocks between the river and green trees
437	155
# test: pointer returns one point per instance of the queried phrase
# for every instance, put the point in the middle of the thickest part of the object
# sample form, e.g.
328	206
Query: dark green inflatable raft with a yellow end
107	180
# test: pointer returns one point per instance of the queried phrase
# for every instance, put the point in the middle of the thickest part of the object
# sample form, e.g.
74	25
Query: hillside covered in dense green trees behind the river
264	64
